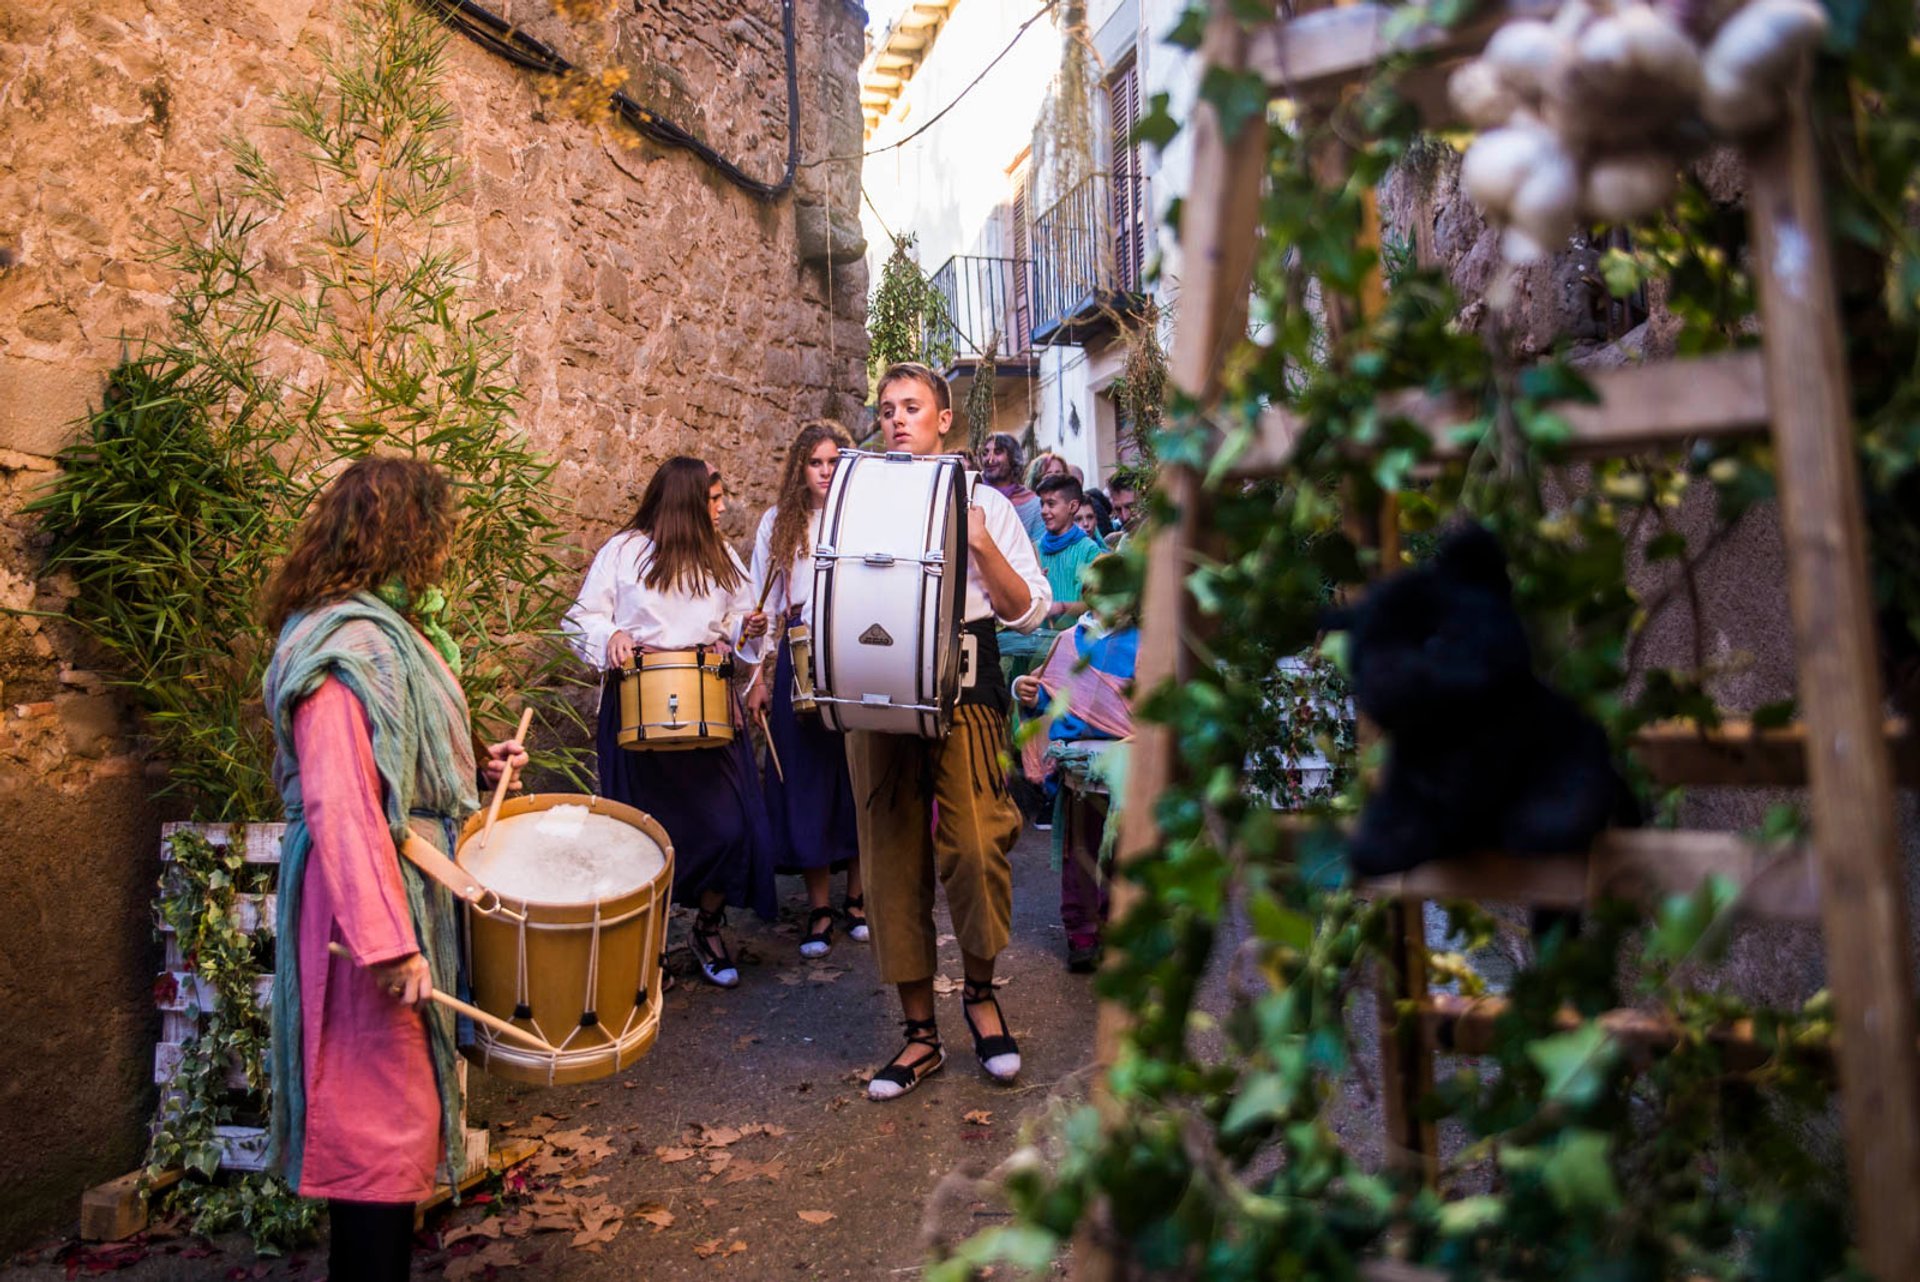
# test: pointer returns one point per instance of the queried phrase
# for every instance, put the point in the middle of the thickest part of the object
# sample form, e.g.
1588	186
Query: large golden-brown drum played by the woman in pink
575	953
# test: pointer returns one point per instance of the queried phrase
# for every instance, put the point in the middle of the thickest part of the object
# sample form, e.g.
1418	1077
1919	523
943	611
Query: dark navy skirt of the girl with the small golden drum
708	801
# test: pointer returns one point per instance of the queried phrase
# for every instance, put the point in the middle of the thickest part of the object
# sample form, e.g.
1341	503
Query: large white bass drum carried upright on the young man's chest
890	588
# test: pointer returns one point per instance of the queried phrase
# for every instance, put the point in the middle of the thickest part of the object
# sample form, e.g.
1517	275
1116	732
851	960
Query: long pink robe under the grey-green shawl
373	1110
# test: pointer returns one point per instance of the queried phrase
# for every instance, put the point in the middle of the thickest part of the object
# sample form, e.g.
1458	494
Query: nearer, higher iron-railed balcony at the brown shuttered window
1090	256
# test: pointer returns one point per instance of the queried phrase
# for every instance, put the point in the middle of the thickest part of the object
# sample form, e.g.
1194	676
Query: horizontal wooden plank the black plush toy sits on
1635	865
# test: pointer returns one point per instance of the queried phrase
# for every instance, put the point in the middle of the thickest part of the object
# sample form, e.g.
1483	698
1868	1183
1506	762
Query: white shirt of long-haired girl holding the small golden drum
615	600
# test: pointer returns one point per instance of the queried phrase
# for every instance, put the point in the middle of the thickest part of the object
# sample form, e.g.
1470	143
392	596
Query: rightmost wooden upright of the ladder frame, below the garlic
1863	886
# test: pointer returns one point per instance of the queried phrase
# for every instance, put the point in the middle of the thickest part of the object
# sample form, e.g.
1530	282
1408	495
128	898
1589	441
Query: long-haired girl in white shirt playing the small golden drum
669	582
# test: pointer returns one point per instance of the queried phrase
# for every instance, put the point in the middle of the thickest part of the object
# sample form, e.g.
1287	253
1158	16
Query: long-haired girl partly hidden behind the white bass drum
813	813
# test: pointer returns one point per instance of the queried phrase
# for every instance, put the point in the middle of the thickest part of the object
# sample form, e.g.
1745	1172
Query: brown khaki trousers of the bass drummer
903	849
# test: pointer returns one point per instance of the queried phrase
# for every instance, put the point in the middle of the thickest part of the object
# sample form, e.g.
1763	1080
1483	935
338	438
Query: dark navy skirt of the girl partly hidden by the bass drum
813	815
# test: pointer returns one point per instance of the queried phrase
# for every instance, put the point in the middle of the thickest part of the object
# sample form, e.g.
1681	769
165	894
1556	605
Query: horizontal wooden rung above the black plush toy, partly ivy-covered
1641	408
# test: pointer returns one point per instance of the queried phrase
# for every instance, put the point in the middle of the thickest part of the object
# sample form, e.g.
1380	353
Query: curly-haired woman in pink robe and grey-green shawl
373	748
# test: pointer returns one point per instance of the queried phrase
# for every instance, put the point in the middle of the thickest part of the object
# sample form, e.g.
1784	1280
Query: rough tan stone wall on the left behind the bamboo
656	310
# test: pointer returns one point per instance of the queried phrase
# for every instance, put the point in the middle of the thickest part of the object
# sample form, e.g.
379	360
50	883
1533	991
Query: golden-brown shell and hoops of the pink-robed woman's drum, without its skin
560	953
